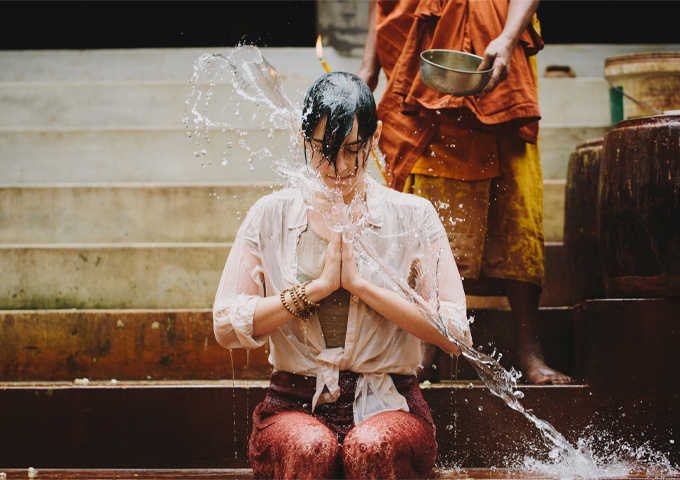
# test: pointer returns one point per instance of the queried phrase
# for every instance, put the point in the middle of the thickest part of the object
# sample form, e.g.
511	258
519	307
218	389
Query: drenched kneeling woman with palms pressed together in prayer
343	398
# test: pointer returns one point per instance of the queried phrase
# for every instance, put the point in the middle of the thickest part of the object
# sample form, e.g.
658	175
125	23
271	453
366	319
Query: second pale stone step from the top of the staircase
572	101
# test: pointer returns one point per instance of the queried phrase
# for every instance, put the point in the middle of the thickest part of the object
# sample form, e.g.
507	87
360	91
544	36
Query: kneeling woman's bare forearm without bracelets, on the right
402	313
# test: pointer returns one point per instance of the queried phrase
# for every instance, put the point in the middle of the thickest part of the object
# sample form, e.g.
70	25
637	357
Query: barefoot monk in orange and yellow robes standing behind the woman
475	158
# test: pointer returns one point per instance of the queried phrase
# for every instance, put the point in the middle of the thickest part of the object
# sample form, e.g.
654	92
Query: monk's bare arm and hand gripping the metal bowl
499	51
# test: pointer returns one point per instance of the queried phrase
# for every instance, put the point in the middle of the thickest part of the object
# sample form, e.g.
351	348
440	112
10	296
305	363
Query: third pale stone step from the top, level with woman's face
111	155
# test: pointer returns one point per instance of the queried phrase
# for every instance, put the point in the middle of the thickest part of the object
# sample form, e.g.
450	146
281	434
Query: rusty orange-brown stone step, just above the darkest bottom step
179	344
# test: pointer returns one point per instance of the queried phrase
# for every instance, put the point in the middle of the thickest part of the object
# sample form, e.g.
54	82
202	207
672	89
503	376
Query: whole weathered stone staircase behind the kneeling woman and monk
113	236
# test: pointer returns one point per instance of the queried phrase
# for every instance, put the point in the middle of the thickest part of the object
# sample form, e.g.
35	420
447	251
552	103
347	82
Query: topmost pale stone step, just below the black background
587	60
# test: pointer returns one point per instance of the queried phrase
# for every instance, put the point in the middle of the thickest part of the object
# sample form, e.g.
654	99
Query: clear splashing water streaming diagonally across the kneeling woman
259	85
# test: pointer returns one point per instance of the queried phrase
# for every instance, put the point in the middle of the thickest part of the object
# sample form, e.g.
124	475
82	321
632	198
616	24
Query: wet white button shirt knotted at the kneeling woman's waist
263	262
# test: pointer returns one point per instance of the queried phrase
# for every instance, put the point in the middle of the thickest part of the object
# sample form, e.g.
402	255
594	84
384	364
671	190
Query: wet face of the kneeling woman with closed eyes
351	160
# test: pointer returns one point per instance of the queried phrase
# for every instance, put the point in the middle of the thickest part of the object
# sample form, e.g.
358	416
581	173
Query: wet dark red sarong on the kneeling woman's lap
291	441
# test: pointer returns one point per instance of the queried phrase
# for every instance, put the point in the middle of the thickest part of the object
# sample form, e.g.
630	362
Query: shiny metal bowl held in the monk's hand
453	73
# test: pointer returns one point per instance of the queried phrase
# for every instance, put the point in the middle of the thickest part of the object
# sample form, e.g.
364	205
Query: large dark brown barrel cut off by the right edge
639	208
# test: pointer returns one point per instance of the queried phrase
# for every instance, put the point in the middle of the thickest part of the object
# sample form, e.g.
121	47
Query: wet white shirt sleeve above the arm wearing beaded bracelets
241	286
